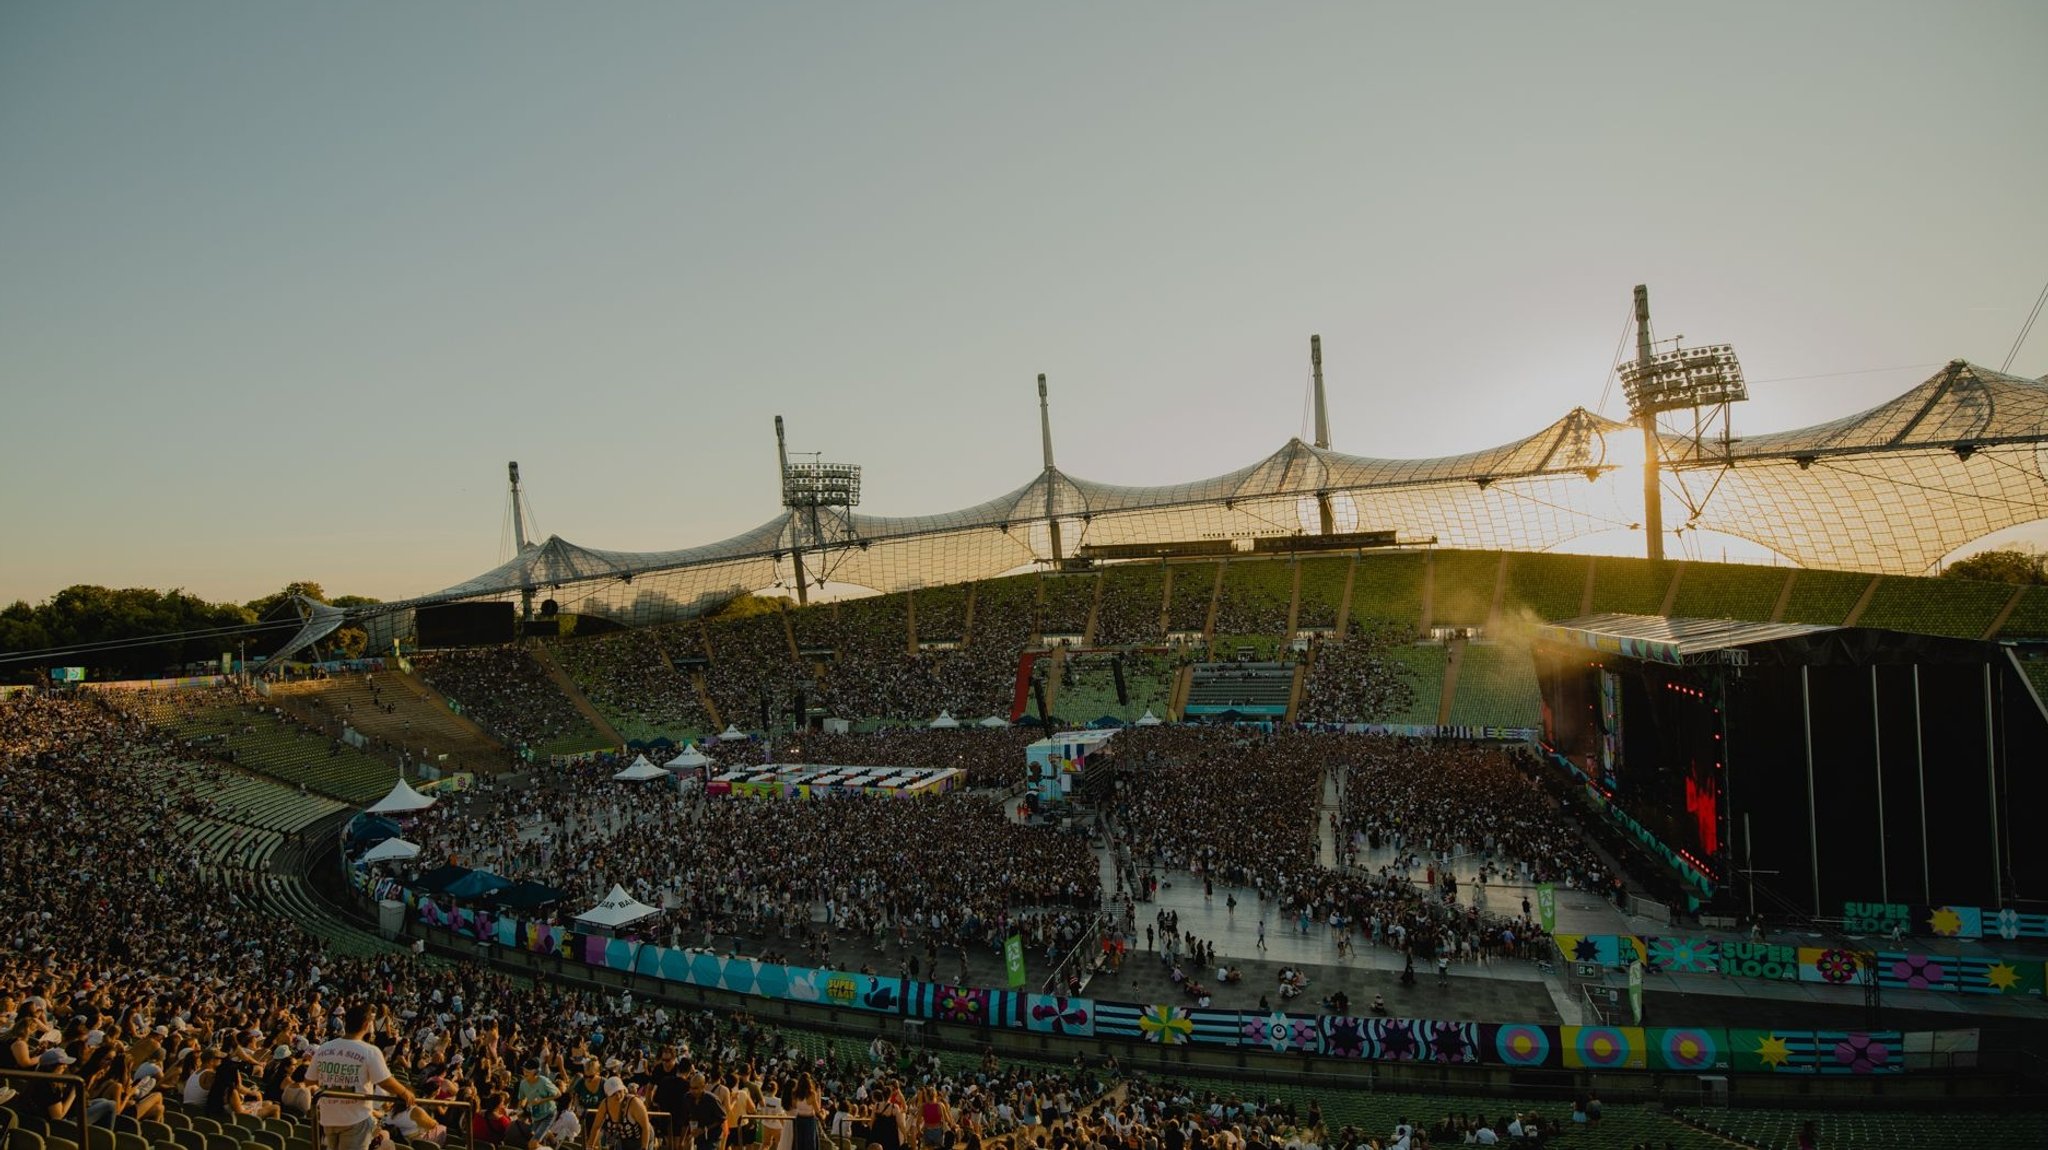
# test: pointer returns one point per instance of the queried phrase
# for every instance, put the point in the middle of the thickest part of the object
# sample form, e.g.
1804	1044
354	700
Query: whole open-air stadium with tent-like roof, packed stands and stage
1316	795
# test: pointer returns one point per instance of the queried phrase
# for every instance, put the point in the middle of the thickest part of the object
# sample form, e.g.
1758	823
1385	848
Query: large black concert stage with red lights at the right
1840	766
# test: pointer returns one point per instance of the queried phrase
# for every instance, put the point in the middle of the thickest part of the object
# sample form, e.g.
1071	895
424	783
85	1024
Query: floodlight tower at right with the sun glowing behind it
1699	380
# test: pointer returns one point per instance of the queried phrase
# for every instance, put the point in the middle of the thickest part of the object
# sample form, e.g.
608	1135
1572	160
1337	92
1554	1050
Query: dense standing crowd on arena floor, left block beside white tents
843	881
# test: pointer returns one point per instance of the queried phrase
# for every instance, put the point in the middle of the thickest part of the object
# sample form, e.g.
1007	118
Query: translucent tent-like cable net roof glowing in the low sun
1893	490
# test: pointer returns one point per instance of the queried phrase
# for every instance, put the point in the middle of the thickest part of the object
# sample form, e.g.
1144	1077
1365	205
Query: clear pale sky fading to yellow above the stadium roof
286	285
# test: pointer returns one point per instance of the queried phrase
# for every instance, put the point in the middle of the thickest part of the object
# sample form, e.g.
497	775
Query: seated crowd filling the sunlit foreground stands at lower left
161	987
